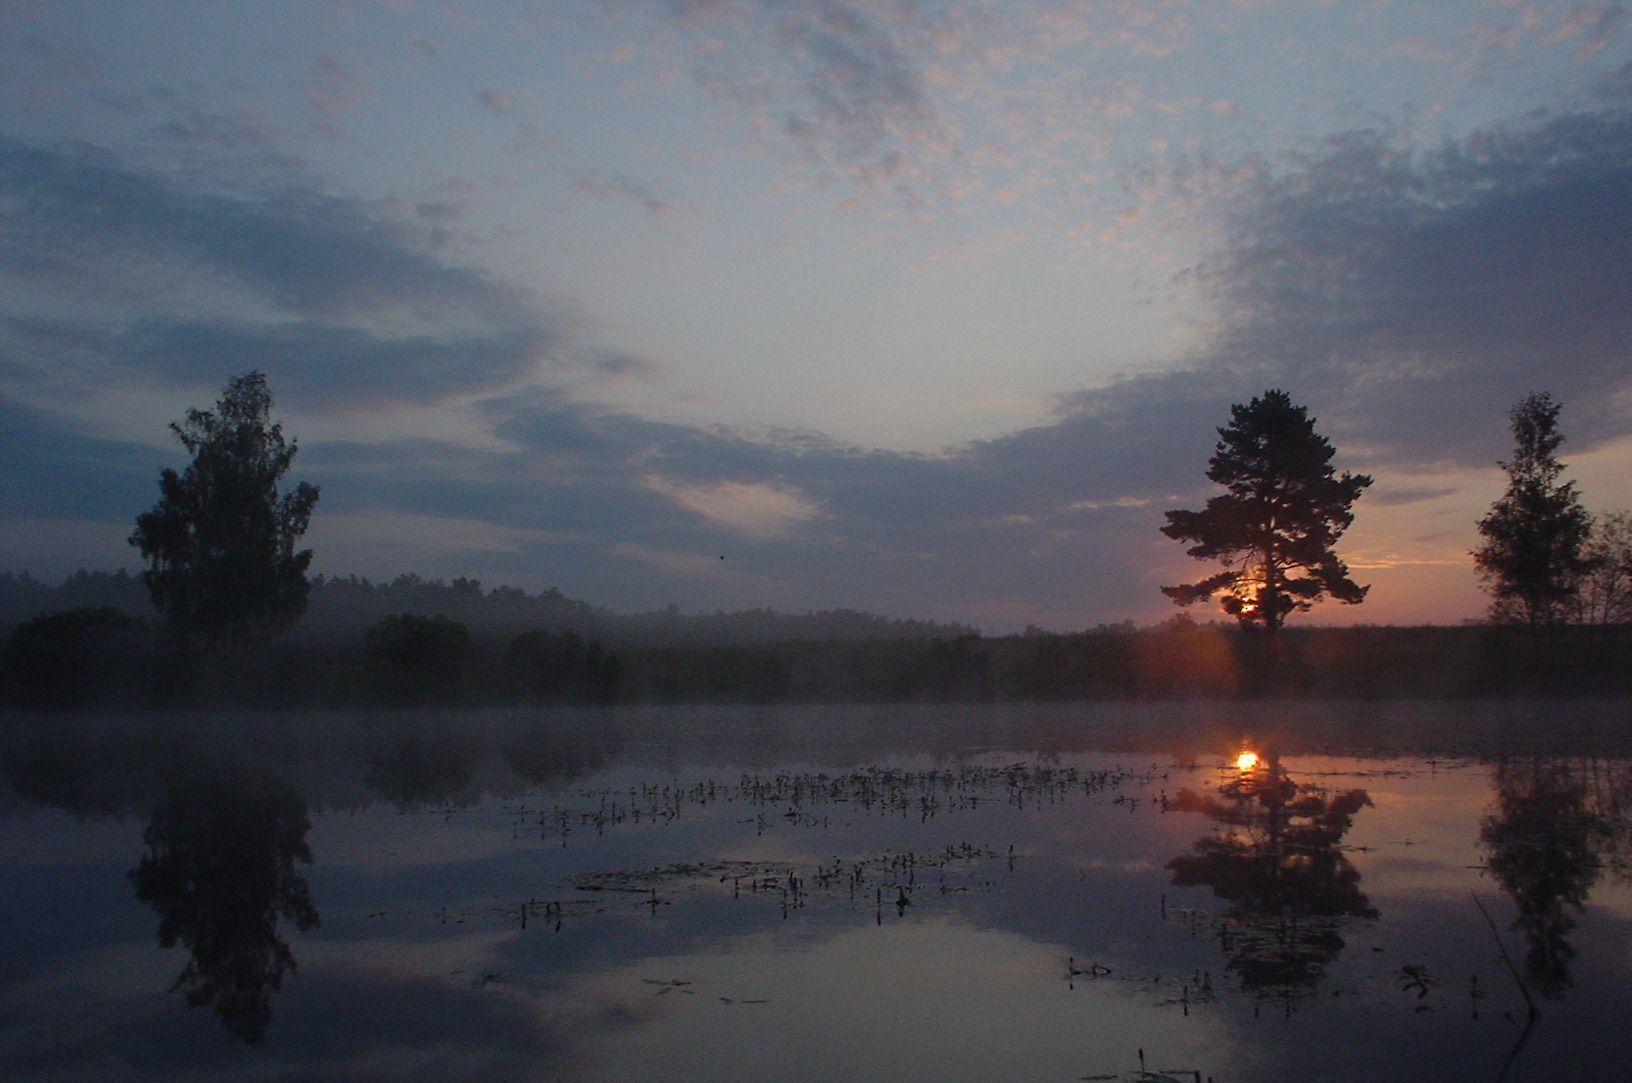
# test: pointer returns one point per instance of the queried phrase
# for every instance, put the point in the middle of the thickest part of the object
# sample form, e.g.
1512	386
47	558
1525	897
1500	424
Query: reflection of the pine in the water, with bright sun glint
1277	862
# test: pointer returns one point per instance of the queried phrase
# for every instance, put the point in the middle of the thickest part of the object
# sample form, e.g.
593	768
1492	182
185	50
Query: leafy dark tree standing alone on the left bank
221	542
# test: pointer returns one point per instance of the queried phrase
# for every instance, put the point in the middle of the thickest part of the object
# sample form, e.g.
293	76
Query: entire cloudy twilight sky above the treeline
923	309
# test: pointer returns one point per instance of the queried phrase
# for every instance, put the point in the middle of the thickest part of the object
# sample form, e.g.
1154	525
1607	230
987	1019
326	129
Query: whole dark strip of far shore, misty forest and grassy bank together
95	640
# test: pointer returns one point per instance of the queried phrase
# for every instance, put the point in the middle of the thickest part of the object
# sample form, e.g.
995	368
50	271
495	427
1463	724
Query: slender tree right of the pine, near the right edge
1537	534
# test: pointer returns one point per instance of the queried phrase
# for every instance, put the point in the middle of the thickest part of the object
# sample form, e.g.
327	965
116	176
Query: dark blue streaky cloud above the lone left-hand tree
118	275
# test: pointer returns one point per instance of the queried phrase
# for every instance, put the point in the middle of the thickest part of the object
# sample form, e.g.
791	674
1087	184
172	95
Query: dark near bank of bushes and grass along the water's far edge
104	658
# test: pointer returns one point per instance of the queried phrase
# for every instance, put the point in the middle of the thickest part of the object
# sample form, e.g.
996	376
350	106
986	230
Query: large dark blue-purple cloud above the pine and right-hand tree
1421	294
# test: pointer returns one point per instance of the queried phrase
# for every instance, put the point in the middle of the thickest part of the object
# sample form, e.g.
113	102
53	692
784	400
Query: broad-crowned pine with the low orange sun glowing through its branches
1277	523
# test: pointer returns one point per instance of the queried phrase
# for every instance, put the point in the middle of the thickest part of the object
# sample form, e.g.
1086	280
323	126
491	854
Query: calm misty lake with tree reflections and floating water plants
1249	891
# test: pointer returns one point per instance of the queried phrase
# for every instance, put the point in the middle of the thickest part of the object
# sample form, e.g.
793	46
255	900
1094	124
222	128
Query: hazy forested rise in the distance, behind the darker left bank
342	609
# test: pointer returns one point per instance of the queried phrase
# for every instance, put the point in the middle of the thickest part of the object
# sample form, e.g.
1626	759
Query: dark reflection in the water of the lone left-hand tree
223	849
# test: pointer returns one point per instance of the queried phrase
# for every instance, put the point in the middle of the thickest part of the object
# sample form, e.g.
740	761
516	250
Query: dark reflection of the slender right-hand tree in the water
1543	851
